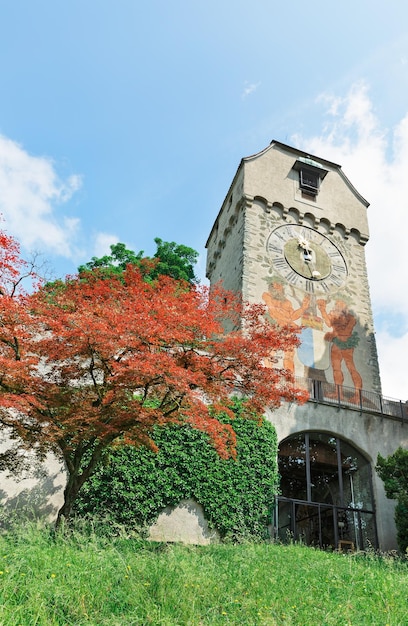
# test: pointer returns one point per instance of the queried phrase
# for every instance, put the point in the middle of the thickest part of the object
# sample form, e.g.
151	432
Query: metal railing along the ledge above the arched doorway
357	399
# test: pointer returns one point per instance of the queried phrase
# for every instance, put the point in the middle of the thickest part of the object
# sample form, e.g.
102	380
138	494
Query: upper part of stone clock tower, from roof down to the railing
301	227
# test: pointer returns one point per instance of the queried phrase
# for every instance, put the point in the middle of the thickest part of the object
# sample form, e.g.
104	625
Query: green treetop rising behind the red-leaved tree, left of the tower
170	259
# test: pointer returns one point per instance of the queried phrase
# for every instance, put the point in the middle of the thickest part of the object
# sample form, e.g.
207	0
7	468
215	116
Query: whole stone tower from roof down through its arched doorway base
291	233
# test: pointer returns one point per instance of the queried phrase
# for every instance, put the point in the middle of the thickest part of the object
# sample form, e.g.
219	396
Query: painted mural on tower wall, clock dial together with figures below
310	285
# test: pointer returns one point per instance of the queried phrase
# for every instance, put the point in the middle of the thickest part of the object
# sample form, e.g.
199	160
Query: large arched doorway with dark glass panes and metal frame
326	493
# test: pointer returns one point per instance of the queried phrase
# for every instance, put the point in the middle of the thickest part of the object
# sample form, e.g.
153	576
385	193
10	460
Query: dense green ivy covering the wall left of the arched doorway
237	495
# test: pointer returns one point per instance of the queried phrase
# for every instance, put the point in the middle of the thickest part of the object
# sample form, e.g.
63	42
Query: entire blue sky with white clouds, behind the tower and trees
125	120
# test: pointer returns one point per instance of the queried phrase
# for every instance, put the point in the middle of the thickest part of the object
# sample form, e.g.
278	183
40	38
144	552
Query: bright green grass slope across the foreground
80	578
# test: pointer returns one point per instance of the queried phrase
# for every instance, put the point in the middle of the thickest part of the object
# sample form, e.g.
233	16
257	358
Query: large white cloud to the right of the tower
376	162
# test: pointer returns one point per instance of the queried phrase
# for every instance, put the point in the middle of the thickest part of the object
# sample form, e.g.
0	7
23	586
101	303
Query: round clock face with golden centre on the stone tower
306	258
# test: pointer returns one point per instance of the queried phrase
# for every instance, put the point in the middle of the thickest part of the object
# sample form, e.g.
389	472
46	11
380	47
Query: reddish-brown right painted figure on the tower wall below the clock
343	341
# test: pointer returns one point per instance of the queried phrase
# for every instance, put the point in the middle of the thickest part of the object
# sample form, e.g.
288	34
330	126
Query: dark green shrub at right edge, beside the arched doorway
393	471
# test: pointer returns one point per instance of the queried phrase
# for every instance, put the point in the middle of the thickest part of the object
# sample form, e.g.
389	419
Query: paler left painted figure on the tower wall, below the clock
283	312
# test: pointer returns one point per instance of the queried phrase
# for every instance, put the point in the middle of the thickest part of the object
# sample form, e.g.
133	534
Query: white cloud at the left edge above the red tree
30	191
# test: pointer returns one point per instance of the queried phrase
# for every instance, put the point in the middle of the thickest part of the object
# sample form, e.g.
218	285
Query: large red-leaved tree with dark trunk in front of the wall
105	360
